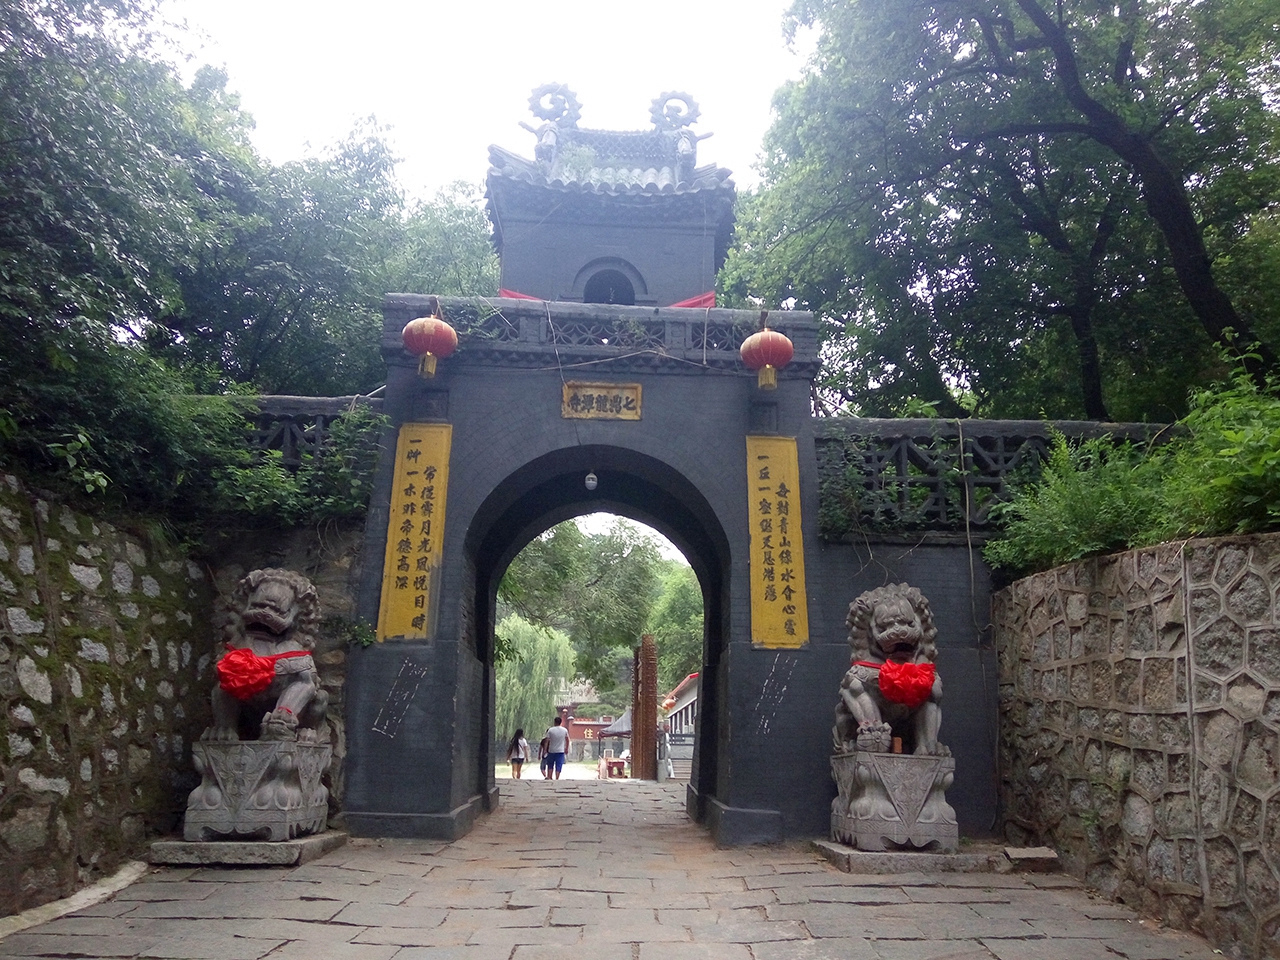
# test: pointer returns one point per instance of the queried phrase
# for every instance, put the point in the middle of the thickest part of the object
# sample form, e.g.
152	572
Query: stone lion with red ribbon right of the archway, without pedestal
892	696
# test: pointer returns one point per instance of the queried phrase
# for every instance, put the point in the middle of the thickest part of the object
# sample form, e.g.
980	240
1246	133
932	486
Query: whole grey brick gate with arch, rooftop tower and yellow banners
495	447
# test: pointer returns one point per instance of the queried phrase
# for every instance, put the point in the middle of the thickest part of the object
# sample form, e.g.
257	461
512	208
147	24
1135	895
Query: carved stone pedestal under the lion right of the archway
894	802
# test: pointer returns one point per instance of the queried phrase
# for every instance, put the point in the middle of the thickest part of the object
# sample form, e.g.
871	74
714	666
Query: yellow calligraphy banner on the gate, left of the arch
415	533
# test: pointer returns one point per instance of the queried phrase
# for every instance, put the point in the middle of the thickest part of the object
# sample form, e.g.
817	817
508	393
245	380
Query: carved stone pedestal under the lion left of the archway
258	790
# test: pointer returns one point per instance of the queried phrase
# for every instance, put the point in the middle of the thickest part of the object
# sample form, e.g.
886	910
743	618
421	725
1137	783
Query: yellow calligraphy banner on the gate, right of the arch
780	605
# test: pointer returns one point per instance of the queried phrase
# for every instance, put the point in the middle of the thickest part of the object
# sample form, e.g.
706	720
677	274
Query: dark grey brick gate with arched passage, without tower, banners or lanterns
420	712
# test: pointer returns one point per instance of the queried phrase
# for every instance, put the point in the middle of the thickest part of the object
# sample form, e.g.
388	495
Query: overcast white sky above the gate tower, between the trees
451	79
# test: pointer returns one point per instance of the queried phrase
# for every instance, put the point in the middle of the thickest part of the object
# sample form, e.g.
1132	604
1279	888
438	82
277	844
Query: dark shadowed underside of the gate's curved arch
638	487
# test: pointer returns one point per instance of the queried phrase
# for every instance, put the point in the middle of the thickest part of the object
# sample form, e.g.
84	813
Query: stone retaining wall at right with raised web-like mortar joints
1141	730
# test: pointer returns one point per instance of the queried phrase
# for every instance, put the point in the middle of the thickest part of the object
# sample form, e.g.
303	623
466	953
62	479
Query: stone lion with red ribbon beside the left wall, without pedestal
268	687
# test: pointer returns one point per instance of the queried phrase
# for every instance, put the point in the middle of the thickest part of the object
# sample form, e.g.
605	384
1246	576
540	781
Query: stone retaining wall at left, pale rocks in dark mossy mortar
106	661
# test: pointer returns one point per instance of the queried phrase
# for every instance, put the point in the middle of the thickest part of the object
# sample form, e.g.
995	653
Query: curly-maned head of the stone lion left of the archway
277	606
